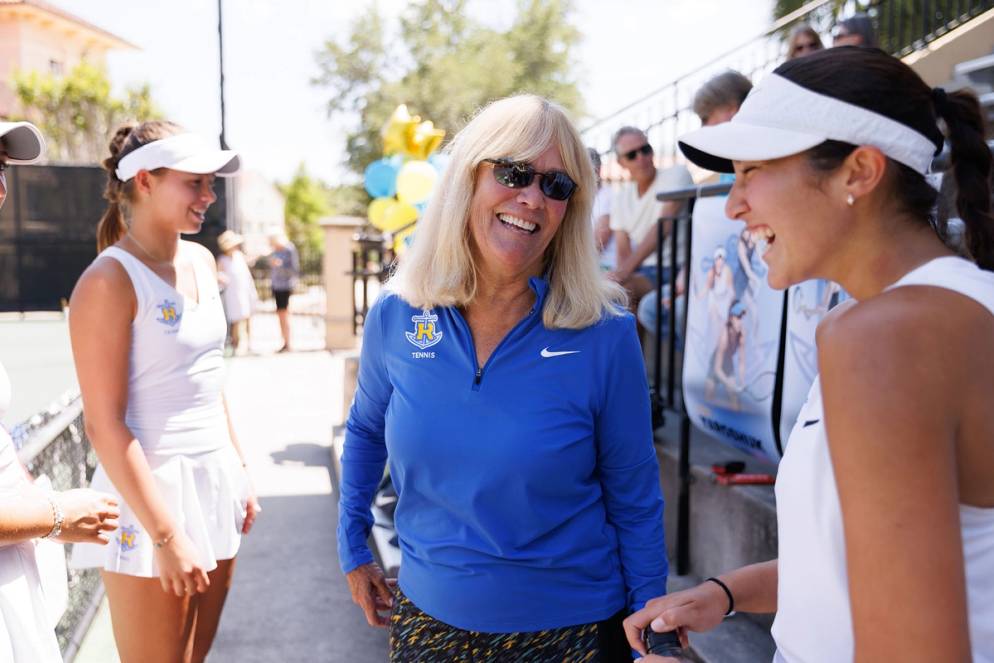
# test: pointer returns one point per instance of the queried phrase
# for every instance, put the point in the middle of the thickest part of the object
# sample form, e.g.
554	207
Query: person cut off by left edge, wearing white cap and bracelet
27	512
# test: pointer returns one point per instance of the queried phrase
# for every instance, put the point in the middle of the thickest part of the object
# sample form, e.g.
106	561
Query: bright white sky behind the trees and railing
276	117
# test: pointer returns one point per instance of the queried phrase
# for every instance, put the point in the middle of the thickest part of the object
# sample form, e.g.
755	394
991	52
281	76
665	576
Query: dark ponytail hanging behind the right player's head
971	165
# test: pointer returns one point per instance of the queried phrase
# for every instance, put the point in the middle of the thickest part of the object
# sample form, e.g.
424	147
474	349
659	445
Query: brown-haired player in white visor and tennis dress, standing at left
148	332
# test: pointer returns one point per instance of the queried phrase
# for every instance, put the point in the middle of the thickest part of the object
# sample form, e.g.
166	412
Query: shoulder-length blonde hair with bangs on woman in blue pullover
439	268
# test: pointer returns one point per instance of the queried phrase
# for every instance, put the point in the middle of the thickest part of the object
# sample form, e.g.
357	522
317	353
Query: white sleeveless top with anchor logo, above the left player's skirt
176	368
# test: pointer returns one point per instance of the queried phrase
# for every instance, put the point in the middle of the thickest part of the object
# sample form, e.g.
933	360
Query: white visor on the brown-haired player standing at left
188	153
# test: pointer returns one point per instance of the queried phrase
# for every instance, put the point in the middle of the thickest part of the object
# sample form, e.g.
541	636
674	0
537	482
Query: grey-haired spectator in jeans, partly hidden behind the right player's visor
716	101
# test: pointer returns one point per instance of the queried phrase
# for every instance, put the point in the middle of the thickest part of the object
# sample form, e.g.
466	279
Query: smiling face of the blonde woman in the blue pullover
510	229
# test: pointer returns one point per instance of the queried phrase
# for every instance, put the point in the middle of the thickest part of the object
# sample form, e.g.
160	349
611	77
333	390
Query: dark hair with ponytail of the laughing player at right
873	80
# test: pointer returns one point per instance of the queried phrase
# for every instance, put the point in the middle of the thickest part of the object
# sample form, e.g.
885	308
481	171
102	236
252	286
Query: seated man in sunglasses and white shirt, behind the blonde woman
635	210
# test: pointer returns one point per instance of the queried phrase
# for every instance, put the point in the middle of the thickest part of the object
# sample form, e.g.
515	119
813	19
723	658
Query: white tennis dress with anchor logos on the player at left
175	411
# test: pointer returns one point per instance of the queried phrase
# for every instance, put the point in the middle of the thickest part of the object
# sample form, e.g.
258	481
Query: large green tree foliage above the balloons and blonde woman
444	65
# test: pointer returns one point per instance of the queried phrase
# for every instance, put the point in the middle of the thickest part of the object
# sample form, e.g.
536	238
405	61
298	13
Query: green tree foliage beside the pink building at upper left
77	112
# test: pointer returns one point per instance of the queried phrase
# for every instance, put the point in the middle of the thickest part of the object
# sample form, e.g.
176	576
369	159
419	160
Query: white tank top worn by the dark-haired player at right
813	622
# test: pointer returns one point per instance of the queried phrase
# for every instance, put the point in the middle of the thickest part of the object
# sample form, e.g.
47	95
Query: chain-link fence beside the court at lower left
54	444
